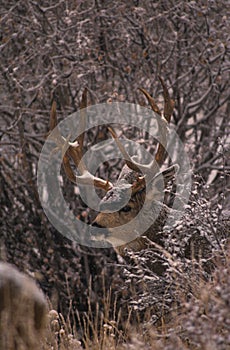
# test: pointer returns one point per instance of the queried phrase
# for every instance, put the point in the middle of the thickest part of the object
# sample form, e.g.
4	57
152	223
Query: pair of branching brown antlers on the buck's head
74	150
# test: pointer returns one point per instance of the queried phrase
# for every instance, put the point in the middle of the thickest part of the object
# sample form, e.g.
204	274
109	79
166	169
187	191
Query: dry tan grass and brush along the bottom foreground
203	322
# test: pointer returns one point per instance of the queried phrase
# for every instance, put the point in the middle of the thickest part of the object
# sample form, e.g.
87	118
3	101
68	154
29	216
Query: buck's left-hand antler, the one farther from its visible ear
74	150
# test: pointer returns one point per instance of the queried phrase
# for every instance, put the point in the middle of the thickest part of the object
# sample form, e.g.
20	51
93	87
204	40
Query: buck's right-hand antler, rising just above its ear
152	167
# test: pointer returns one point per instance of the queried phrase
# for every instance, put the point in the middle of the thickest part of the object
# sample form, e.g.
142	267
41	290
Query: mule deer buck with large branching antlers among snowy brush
131	182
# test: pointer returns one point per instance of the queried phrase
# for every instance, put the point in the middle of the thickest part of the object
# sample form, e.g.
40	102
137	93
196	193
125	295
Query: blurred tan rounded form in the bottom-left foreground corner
23	310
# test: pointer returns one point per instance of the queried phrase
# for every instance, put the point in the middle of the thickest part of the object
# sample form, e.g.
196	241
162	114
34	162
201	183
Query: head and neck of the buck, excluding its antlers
153	216
